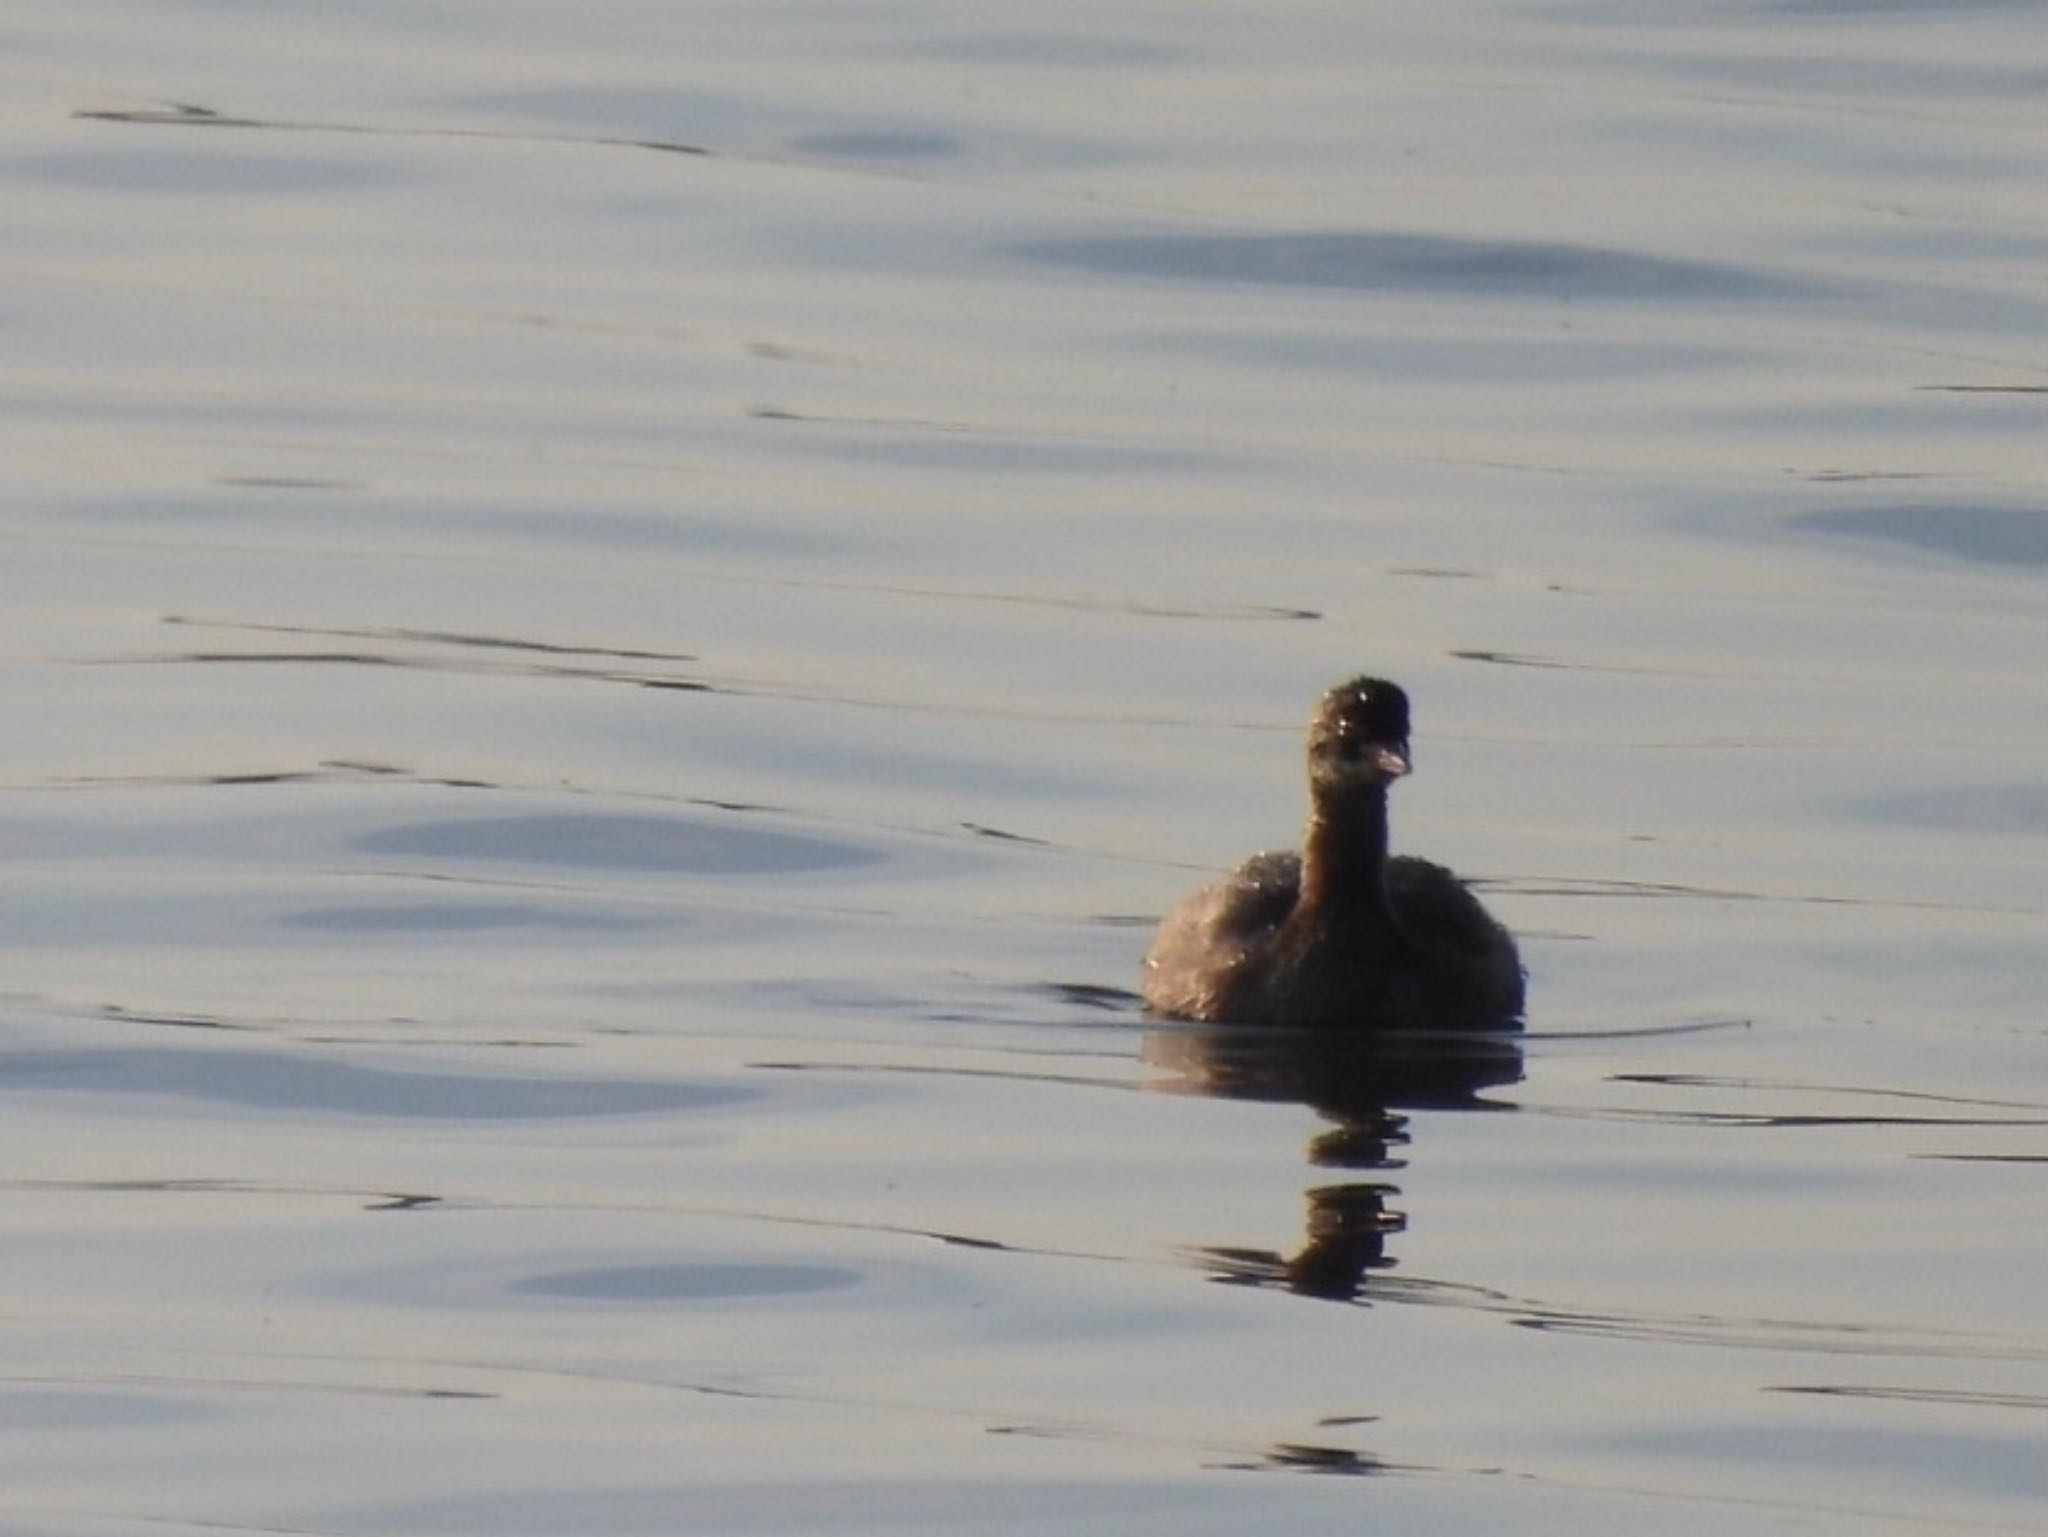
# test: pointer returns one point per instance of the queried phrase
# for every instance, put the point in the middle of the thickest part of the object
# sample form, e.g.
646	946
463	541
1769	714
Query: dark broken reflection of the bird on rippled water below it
1363	1087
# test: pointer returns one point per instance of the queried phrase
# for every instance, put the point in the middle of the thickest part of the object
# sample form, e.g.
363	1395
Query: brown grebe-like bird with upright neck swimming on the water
1340	936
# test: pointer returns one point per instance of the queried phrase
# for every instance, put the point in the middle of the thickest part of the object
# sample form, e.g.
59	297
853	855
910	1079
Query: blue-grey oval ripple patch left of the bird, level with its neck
646	843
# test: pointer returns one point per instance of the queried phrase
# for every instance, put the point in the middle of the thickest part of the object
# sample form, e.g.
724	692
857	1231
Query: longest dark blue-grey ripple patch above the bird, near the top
1414	263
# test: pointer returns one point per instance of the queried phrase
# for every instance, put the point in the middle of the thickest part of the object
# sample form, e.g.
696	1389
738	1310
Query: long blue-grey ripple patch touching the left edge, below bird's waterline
269	1081
